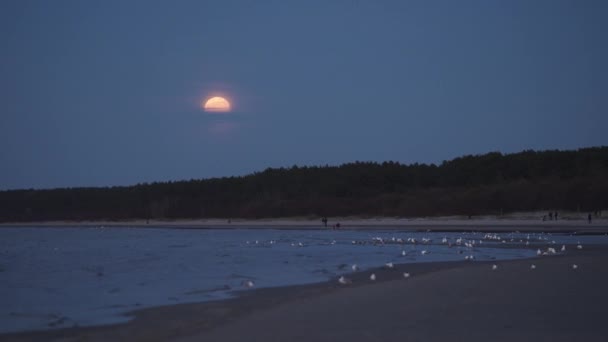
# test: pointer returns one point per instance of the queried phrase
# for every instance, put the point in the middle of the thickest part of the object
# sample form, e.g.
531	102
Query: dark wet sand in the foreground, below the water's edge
440	301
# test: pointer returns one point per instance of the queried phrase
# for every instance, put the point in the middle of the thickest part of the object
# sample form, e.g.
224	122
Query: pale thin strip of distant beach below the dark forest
522	222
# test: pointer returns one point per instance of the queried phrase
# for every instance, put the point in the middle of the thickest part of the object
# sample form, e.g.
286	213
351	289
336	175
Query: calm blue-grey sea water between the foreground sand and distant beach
62	277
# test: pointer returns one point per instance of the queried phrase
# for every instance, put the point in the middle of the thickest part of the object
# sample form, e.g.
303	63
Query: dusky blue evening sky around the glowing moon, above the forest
109	92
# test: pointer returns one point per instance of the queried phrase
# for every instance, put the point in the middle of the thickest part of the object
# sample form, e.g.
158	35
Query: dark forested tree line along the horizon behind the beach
491	183
